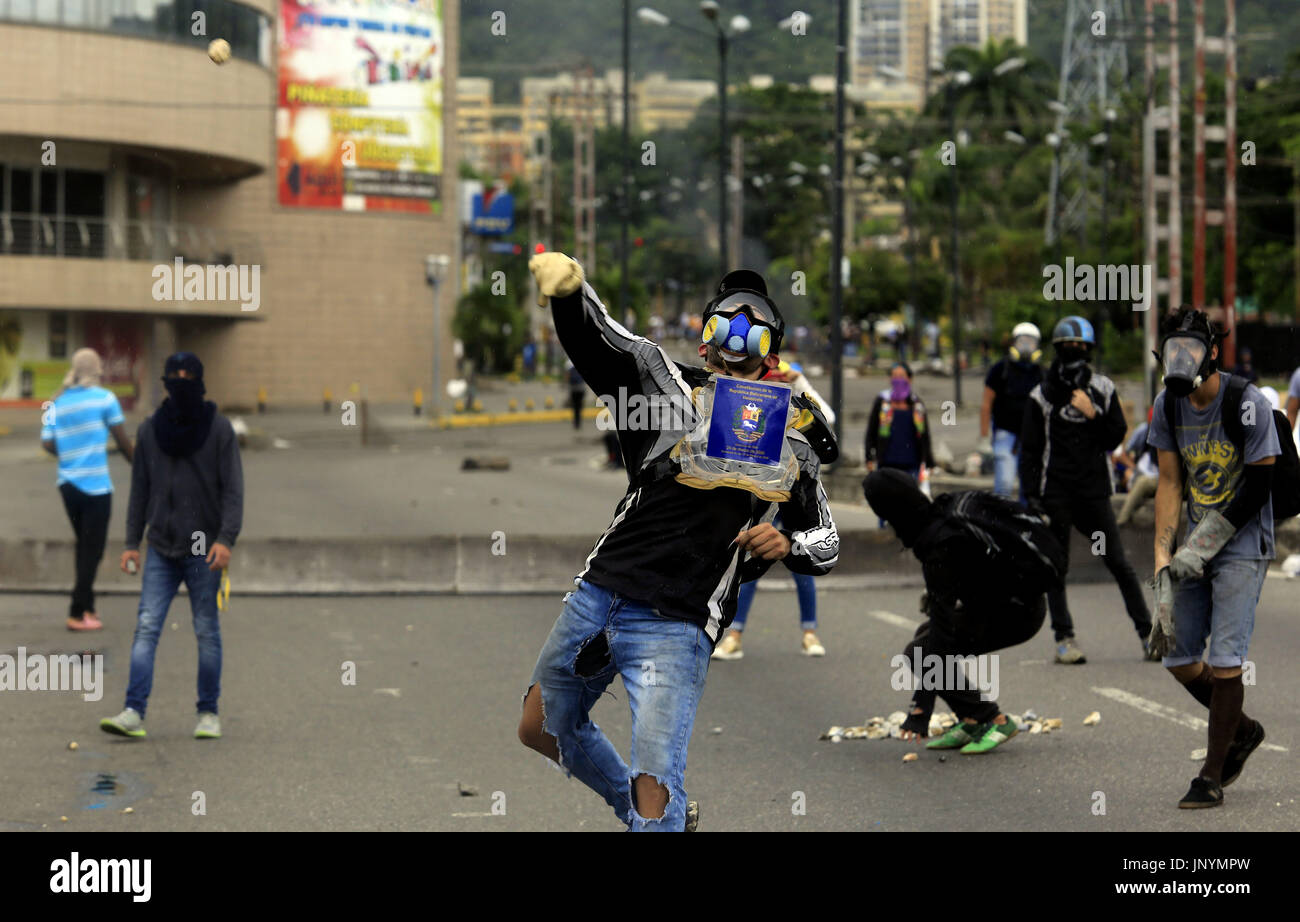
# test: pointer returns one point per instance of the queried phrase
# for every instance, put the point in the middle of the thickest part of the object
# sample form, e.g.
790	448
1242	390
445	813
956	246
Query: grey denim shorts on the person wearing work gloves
1219	607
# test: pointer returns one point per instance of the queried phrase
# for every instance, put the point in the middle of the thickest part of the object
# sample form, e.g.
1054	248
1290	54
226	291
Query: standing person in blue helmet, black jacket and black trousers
1073	422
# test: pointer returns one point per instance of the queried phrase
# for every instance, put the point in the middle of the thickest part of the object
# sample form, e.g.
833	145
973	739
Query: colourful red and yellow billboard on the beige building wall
359	116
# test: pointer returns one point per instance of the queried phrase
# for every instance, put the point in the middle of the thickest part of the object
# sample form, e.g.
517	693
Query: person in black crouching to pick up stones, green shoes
987	562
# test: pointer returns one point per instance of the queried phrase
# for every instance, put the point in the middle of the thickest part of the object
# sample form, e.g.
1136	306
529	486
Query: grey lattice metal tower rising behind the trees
1093	58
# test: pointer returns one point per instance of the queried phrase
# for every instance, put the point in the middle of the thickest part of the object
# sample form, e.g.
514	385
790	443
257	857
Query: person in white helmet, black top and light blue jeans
1007	392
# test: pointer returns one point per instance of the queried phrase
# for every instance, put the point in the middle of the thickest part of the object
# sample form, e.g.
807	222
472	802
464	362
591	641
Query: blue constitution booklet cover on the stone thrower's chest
748	421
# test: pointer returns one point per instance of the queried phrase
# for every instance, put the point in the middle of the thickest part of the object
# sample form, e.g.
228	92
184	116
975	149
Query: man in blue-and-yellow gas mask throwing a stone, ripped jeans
661	583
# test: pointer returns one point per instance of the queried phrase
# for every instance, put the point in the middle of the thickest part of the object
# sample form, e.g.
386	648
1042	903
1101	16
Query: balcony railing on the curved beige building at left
125	240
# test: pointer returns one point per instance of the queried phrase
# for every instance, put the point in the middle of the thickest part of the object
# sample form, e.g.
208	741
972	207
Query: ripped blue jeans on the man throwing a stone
664	664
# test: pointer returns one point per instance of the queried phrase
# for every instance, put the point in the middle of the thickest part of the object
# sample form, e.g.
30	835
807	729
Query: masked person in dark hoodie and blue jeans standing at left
188	488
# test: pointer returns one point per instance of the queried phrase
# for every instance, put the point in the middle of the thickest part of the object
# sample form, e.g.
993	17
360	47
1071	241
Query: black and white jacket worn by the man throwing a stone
671	546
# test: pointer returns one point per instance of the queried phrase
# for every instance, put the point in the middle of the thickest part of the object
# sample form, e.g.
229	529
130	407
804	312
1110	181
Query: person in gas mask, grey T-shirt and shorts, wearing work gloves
1219	443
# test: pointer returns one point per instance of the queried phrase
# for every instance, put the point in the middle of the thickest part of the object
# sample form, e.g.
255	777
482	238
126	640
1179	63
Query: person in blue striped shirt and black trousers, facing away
76	427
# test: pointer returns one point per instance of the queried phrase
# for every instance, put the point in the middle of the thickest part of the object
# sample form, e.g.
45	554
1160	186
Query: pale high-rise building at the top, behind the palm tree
908	36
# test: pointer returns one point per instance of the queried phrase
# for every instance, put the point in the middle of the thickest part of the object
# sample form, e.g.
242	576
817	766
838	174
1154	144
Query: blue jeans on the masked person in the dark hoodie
159	585
